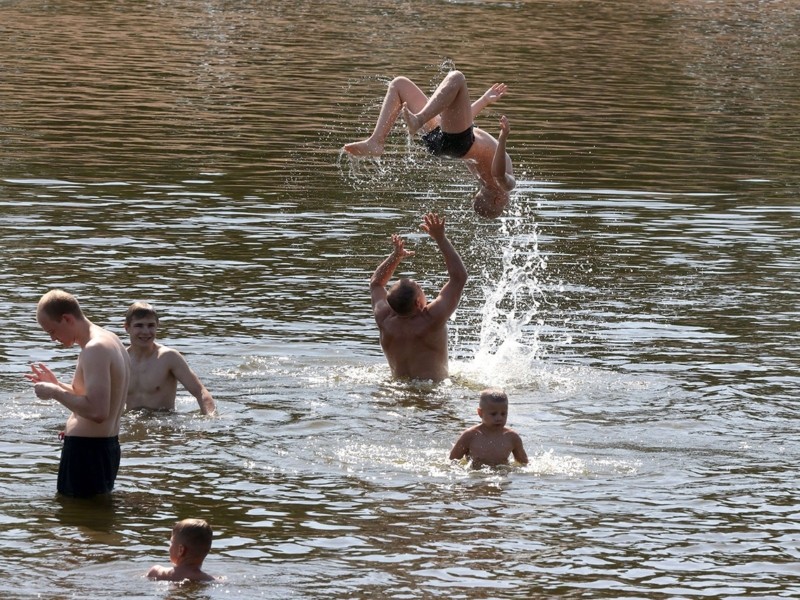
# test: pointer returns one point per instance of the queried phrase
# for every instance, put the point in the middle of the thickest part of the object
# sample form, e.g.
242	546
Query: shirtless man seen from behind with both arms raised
414	331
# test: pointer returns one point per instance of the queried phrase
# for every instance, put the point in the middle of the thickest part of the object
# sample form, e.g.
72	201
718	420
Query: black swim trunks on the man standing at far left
88	466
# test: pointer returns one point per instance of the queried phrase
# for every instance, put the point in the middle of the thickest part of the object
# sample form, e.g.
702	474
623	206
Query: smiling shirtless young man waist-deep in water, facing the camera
157	369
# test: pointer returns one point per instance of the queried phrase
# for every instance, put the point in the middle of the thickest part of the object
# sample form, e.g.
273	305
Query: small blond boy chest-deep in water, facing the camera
491	442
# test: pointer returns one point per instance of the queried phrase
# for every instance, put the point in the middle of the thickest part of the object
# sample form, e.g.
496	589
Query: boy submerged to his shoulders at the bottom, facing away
189	546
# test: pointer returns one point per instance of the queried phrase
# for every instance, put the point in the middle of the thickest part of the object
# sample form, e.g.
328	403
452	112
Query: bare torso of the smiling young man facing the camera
153	384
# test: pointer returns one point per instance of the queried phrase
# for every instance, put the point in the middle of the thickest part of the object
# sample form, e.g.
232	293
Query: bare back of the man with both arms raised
414	346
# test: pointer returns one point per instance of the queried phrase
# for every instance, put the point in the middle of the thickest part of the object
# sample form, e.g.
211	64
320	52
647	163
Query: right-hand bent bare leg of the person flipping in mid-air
450	102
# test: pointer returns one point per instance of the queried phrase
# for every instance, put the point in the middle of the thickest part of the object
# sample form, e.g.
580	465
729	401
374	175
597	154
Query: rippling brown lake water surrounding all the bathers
638	301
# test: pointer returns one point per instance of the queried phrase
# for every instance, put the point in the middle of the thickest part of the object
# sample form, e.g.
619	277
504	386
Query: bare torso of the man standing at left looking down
119	379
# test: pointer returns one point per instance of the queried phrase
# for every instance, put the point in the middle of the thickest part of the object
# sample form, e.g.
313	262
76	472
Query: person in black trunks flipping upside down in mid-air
446	120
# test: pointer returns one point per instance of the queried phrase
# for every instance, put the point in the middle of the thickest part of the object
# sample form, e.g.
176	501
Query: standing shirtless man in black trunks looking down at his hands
90	455
